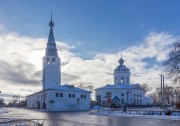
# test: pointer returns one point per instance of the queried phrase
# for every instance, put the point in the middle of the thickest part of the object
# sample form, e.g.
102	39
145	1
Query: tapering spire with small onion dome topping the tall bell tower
51	45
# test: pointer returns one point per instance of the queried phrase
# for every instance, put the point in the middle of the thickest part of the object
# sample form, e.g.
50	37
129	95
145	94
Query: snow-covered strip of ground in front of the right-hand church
138	113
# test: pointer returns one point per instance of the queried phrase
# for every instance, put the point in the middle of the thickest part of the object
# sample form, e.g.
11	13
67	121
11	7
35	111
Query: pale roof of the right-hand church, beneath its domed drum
122	86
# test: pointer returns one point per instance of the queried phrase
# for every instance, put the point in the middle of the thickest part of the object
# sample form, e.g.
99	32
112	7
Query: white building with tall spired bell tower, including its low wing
55	96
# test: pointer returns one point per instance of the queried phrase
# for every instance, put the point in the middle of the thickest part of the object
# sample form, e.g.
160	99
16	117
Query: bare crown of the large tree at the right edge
172	64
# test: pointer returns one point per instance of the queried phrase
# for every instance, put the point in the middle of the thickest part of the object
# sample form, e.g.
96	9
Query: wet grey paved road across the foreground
83	119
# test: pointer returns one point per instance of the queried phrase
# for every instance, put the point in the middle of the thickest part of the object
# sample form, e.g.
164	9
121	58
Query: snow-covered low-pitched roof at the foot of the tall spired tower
69	88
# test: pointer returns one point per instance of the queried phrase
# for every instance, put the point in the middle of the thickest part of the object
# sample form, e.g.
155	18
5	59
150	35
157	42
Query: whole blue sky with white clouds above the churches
90	37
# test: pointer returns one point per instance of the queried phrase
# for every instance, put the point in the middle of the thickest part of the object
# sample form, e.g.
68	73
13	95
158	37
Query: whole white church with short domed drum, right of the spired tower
122	92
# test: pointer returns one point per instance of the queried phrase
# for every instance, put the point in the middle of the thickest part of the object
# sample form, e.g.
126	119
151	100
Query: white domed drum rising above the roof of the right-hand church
121	74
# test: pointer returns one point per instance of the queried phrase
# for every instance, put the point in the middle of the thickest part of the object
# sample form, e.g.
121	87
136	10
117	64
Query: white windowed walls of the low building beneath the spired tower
61	103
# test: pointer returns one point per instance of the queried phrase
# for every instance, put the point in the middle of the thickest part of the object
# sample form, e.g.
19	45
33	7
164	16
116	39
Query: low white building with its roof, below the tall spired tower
61	98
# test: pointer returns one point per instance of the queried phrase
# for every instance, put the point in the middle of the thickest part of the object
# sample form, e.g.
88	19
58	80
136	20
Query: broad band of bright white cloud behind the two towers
23	57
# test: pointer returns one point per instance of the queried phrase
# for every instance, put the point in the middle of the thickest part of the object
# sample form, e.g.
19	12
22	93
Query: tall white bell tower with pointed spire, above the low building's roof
51	62
